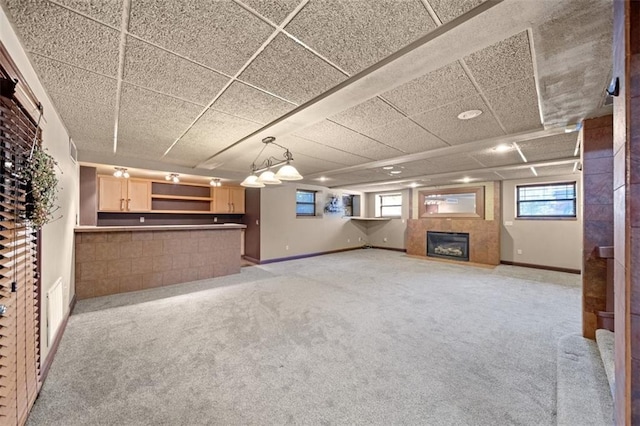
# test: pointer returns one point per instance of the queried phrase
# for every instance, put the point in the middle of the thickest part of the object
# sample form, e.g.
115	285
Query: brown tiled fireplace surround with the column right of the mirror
484	235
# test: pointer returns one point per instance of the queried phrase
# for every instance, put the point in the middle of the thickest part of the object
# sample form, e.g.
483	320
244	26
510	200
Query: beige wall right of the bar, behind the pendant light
282	234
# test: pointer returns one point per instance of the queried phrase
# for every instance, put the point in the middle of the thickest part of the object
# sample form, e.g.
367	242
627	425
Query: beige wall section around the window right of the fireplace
556	243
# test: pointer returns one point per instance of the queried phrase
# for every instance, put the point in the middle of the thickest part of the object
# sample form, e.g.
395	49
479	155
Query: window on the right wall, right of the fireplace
546	201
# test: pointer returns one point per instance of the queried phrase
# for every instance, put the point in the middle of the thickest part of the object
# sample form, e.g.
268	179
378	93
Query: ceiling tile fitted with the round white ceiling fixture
444	122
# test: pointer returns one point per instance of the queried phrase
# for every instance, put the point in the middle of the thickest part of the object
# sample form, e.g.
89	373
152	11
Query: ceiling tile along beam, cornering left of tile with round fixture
368	115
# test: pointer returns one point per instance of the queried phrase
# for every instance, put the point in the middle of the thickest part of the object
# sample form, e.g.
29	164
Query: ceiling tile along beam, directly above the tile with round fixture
432	90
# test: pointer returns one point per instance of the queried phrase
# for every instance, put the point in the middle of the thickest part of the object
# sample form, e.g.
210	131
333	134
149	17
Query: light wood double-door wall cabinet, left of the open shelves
123	195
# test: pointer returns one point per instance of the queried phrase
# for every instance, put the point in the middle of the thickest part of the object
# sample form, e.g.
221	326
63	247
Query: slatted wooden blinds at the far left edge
19	286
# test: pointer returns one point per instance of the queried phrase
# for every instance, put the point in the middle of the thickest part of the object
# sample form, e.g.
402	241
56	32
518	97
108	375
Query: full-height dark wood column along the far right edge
626	42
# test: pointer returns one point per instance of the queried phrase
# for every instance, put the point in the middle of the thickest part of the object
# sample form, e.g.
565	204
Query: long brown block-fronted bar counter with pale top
119	259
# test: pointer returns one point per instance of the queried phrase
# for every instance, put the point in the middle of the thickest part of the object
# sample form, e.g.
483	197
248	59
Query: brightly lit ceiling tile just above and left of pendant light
213	132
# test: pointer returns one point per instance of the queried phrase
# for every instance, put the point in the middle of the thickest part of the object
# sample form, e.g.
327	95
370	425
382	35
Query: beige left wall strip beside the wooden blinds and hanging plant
57	237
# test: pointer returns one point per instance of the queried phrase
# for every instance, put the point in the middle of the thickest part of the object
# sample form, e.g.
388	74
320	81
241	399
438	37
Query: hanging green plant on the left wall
39	174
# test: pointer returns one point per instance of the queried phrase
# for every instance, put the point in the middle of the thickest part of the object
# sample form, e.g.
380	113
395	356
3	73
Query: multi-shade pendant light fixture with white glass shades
267	176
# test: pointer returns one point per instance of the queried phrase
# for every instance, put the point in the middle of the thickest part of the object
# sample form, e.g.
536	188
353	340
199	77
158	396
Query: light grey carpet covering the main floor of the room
361	337
